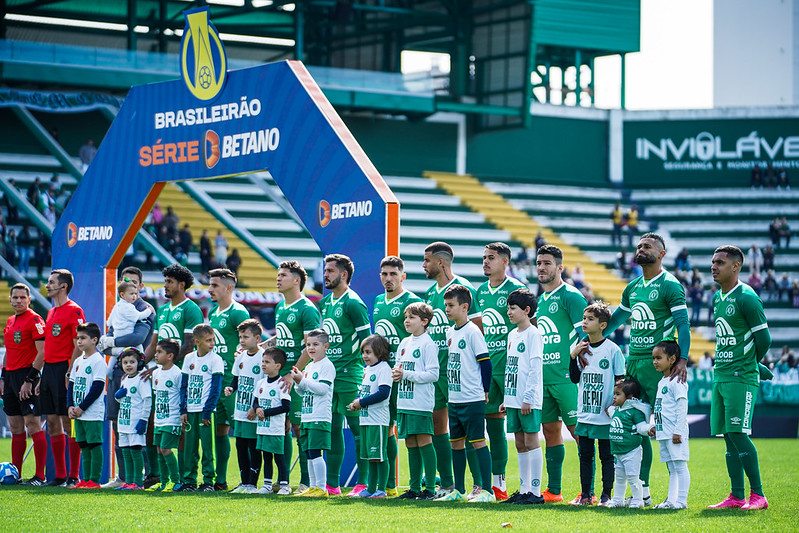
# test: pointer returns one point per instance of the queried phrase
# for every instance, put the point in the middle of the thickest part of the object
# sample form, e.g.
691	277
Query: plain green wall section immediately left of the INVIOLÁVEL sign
553	150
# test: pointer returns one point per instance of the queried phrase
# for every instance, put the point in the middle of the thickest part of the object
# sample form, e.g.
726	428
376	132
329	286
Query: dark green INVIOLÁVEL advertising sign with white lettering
705	151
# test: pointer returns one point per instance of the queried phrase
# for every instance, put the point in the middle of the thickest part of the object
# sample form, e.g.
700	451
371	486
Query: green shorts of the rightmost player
731	408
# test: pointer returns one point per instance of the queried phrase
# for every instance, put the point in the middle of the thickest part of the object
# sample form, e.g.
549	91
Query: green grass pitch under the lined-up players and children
24	509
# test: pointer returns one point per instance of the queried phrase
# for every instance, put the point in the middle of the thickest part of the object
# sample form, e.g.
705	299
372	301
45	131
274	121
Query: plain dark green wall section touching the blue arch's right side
401	147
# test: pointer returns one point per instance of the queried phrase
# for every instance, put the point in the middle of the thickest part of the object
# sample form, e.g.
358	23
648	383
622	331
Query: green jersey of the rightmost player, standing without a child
739	314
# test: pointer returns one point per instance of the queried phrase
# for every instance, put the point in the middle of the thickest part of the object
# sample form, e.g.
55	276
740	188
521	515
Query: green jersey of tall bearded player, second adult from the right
651	304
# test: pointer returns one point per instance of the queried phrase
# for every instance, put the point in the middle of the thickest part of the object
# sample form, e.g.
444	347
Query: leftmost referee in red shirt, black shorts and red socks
24	341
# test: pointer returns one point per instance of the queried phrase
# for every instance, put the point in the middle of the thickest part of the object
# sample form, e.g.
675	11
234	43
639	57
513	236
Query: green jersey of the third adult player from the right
559	318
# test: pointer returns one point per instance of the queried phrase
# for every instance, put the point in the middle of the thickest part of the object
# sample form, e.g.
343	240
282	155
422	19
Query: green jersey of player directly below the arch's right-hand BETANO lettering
343	319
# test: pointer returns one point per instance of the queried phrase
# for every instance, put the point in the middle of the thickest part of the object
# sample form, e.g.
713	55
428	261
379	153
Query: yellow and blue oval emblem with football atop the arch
202	58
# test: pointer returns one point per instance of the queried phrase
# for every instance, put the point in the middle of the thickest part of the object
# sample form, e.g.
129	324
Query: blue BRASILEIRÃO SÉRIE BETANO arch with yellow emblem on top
215	123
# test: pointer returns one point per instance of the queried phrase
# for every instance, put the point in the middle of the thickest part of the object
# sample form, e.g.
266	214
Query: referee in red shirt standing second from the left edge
60	349
